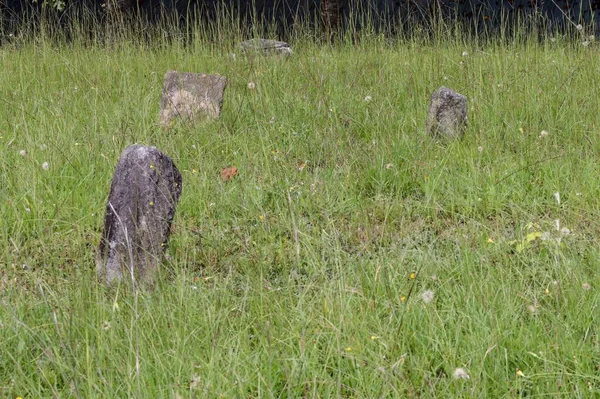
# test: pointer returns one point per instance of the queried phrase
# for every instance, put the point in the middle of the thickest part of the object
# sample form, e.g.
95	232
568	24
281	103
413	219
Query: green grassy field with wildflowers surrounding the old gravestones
352	256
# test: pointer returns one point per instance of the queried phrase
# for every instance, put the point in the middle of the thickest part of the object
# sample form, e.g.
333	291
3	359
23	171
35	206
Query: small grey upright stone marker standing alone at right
447	114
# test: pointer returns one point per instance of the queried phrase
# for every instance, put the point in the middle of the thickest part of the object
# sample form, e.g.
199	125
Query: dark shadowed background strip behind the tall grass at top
328	16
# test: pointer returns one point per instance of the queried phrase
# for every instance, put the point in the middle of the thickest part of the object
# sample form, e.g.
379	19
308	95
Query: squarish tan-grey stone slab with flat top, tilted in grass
191	96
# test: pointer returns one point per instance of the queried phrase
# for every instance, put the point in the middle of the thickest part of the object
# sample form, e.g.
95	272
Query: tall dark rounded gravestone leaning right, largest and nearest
143	195
